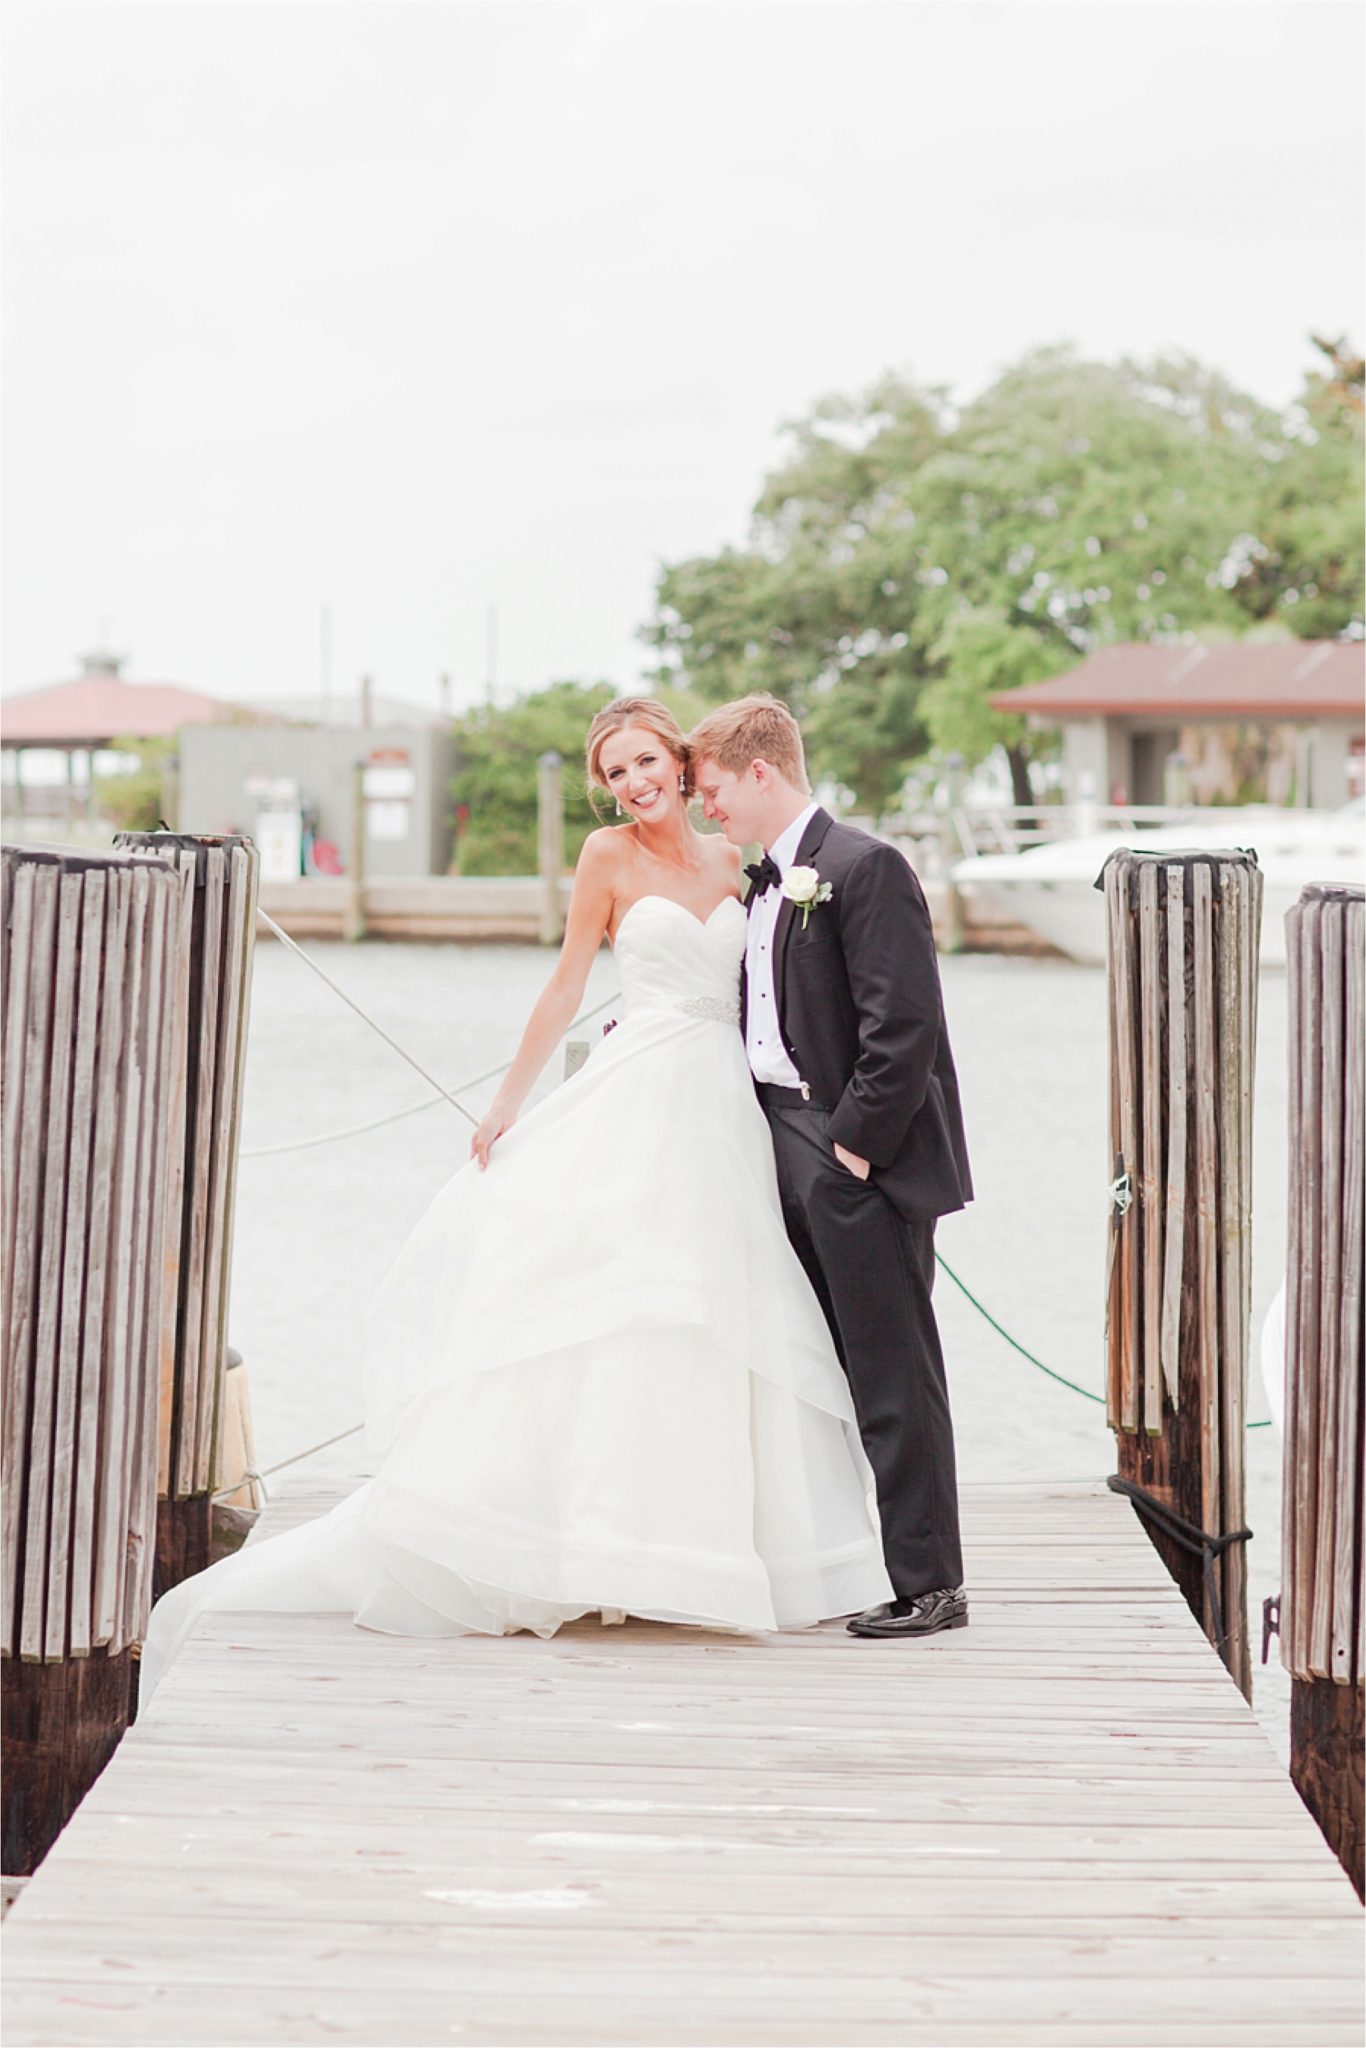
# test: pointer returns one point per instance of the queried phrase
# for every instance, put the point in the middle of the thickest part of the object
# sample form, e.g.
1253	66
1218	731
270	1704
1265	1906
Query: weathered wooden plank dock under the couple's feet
1056	1828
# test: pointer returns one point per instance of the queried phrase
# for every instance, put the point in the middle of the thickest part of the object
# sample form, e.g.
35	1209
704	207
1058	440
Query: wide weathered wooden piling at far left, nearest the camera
91	951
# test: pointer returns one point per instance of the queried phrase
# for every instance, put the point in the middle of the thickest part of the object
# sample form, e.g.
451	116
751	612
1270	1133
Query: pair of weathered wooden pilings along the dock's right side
1183	947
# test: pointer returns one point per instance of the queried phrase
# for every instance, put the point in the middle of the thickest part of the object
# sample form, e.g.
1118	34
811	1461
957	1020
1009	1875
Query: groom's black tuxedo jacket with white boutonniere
861	1013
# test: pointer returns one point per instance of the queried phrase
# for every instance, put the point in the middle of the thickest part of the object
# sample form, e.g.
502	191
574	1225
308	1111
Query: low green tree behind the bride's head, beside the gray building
495	785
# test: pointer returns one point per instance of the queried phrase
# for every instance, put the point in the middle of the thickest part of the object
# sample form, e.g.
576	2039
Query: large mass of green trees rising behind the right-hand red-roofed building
906	564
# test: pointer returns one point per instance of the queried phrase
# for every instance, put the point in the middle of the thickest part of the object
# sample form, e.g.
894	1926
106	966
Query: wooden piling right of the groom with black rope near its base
1183	945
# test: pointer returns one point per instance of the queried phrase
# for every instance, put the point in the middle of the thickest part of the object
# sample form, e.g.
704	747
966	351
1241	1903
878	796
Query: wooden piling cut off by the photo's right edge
1322	1605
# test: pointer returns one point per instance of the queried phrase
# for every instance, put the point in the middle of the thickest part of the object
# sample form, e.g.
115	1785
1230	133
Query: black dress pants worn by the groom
873	1275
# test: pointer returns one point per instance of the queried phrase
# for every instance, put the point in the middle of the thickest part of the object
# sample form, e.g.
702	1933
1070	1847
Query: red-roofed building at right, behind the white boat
1279	722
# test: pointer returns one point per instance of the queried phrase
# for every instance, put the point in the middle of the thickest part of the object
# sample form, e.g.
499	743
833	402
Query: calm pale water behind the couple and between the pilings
318	1228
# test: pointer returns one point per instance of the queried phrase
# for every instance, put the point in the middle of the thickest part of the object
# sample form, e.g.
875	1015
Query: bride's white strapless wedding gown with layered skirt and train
597	1375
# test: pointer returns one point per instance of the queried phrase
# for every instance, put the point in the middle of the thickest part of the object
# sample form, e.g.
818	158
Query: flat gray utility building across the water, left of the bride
294	790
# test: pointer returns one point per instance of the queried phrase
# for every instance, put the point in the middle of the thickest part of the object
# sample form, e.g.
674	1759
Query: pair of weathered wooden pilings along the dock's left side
126	982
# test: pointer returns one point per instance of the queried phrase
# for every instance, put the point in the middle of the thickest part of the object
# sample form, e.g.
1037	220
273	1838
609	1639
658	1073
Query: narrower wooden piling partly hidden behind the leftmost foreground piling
220	882
